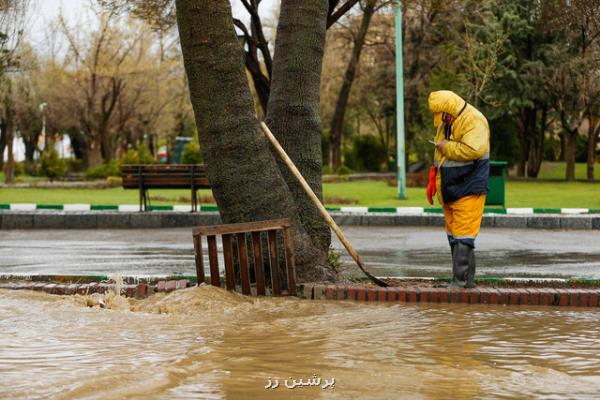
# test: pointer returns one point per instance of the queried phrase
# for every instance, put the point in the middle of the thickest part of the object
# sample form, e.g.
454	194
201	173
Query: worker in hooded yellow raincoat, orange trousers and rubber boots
459	176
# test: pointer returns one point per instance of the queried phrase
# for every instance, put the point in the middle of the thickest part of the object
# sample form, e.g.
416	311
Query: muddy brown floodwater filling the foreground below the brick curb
208	343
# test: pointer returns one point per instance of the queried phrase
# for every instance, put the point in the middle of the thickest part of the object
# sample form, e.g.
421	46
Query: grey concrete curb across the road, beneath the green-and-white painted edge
52	219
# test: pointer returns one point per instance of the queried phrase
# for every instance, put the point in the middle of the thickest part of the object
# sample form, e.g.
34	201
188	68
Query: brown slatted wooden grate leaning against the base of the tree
268	265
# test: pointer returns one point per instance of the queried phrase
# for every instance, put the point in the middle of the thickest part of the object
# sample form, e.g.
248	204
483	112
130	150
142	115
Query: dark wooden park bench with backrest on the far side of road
164	176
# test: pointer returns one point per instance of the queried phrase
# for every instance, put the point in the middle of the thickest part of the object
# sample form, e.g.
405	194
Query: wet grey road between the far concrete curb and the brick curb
387	251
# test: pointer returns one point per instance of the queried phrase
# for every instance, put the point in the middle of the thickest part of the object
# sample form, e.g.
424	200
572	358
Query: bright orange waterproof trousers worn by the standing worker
463	218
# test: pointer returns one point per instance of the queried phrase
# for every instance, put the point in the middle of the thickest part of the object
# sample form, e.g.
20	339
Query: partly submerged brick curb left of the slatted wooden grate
139	291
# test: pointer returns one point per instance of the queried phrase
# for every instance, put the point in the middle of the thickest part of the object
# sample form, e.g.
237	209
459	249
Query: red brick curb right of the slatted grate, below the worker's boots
479	295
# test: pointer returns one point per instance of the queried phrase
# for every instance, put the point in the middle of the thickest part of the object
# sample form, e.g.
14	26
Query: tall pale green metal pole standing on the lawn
400	150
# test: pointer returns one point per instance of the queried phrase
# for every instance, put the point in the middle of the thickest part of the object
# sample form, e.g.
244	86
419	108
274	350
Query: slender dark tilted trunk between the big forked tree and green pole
337	123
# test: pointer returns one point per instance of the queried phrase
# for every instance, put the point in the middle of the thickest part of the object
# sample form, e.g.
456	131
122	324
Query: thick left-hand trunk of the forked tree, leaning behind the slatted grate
242	172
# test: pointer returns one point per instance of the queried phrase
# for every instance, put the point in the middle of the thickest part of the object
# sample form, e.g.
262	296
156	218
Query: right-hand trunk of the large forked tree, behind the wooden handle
293	108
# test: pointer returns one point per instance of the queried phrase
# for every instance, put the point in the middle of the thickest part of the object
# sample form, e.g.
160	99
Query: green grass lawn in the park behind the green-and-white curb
366	193
